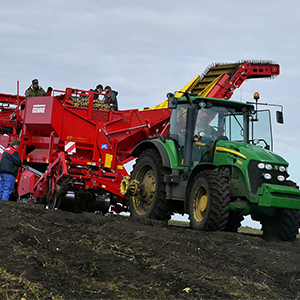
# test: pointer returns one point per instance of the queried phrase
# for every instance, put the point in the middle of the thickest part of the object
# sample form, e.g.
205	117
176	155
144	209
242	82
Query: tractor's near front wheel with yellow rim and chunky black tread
209	201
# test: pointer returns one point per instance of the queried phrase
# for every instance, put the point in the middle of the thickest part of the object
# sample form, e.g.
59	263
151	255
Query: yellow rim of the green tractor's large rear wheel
143	201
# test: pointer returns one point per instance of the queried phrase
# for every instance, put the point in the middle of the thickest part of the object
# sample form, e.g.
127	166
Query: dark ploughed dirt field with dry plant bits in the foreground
46	254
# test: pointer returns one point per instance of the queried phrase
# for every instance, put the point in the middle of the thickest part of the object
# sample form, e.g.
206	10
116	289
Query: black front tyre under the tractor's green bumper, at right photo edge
284	225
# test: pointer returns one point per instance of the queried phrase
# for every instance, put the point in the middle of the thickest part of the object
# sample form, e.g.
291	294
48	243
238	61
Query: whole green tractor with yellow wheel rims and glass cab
216	164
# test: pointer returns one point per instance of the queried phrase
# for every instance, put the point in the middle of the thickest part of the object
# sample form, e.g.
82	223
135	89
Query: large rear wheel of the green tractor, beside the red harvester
151	201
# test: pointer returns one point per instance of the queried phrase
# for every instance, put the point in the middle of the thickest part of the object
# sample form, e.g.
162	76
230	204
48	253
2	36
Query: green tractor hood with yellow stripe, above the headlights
249	152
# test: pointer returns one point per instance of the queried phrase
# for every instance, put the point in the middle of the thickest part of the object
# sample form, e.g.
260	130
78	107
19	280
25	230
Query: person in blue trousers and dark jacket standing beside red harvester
9	166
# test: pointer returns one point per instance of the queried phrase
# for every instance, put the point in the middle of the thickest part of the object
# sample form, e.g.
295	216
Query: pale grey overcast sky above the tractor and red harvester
145	49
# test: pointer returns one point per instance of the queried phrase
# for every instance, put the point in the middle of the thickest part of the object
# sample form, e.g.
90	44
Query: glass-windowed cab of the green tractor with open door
202	122
